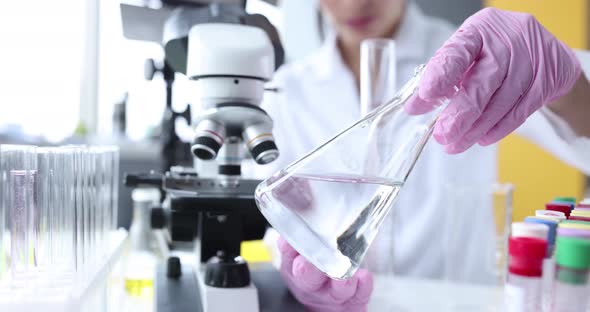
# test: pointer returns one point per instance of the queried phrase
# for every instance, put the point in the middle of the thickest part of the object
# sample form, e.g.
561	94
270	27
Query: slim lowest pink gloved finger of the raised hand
501	103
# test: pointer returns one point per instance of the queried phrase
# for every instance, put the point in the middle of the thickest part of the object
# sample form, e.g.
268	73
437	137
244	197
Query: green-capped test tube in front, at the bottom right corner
571	286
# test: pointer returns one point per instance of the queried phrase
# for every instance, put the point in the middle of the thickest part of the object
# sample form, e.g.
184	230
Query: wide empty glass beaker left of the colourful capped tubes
485	260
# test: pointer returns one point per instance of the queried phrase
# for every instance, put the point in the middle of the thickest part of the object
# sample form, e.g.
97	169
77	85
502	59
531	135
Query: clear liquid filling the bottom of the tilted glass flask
329	219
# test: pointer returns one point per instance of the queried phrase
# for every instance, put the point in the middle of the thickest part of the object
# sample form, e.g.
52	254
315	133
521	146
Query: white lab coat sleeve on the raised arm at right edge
552	133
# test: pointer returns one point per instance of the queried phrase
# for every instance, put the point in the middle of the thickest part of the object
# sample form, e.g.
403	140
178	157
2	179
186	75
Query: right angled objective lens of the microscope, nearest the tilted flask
261	144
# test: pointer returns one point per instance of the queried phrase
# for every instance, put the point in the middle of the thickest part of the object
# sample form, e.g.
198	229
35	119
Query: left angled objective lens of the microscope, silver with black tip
208	140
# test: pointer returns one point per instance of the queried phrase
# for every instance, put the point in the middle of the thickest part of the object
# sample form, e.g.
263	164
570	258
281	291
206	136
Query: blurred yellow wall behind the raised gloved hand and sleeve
538	176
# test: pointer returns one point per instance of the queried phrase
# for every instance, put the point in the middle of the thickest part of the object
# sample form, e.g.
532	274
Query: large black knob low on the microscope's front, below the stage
227	272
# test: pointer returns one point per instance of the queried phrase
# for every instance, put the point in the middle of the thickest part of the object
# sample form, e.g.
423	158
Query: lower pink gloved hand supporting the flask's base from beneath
318	292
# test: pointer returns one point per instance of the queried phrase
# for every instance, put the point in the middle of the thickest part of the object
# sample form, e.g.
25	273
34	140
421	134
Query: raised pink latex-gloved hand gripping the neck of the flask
507	66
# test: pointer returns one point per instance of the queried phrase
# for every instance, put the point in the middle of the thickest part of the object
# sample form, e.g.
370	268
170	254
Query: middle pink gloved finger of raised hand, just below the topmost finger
478	87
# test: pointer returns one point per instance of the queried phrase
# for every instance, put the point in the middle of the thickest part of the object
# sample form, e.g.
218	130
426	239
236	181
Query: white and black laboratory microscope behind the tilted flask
230	55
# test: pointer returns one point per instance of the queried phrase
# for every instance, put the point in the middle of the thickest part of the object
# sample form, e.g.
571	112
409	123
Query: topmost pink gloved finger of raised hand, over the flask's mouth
448	65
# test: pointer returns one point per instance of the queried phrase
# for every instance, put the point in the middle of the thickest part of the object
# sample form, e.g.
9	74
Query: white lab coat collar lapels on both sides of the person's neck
410	41
